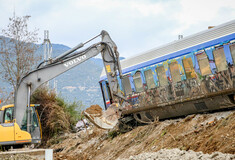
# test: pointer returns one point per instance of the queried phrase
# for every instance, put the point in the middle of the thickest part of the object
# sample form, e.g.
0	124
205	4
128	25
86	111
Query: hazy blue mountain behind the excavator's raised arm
79	83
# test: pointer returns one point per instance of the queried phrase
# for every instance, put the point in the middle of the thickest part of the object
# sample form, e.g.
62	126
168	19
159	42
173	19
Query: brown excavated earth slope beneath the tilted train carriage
202	136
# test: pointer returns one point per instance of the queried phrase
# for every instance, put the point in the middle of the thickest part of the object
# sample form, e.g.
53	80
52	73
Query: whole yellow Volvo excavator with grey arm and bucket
20	123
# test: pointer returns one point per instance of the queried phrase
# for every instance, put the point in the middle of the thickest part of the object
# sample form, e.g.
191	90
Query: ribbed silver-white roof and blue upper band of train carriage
177	48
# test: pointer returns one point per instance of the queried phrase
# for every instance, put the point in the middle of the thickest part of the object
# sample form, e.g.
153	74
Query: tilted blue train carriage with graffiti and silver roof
191	75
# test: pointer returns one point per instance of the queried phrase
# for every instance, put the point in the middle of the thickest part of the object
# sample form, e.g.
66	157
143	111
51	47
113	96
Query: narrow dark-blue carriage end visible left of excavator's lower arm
106	94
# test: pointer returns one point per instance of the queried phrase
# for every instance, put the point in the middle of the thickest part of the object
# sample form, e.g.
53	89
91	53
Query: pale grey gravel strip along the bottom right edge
177	154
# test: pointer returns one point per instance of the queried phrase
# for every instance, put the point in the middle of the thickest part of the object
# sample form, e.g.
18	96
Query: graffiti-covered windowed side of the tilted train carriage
193	75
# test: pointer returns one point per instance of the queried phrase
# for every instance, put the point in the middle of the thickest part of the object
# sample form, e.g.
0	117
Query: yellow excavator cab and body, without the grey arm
13	134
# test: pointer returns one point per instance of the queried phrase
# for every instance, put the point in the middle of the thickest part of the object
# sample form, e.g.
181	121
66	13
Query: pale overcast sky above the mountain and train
135	25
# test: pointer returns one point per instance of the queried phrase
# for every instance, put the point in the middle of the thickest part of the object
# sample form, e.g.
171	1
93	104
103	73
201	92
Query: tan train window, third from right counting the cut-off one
203	63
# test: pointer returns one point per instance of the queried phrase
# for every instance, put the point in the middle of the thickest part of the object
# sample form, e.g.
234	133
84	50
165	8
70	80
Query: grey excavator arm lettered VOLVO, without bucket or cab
63	63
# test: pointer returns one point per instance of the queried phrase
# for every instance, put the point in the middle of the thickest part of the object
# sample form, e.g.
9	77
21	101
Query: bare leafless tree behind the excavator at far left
17	50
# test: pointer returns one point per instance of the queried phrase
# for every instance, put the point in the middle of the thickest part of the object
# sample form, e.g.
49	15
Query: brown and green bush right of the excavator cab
56	116
